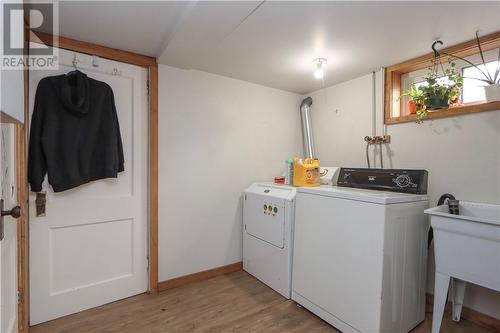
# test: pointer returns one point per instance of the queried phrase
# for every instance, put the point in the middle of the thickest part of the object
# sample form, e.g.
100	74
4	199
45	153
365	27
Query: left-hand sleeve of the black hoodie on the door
37	166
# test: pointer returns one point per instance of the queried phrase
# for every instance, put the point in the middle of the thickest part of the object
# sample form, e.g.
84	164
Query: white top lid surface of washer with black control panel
378	197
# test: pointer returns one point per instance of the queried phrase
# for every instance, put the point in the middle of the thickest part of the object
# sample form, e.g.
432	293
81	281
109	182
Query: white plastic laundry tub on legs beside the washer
466	249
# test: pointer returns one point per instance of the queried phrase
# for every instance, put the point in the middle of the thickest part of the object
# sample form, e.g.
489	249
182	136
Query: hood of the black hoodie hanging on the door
75	93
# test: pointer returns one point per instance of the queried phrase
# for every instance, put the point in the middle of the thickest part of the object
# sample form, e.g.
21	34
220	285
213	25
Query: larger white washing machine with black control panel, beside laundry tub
360	256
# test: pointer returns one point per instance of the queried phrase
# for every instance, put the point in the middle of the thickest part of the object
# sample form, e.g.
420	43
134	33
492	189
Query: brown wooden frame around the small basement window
392	103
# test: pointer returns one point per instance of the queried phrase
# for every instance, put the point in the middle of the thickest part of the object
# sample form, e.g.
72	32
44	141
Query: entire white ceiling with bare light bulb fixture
273	43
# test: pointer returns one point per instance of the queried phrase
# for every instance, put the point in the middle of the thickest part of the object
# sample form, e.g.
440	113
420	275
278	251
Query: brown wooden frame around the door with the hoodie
21	150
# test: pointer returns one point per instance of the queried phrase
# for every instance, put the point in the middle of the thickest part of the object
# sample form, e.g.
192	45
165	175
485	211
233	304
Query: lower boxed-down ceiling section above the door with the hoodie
136	26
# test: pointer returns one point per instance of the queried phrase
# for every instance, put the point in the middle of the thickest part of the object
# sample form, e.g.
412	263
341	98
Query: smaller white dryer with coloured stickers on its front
268	216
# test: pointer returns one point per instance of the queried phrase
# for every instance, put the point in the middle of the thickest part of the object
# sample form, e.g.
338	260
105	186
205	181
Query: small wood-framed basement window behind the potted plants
399	78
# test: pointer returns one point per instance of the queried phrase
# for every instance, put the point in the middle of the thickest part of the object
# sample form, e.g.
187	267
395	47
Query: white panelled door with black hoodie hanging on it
91	247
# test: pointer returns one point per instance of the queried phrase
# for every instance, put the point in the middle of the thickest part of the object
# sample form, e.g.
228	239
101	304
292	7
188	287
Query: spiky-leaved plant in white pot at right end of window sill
492	89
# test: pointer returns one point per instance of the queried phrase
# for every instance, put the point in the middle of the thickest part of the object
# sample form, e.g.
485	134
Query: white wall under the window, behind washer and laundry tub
462	154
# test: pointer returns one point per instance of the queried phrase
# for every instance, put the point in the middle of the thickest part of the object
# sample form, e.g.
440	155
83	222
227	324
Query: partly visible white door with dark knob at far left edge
8	246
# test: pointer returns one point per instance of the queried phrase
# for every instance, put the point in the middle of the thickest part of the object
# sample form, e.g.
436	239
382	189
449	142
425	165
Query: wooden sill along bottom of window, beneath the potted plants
450	112
